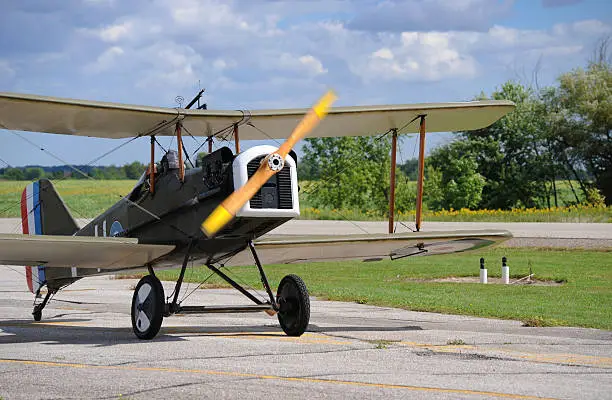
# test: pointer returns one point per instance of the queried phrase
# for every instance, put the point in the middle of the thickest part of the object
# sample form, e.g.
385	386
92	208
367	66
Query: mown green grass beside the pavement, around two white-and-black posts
583	300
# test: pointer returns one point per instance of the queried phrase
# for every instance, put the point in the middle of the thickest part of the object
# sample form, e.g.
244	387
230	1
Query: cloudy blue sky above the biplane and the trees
251	54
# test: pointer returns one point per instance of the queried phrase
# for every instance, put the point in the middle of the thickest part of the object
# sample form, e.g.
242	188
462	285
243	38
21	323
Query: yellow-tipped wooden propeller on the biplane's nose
270	165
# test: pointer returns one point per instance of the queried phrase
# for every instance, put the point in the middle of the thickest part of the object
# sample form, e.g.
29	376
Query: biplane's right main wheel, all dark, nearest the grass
294	305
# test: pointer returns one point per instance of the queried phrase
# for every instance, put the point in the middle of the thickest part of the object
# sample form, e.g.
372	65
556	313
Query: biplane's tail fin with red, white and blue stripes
43	213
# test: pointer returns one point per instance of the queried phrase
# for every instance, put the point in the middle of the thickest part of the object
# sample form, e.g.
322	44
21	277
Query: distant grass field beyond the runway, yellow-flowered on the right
88	198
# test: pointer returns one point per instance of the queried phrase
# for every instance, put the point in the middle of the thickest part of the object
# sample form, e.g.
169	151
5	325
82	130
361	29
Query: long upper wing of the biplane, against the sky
114	120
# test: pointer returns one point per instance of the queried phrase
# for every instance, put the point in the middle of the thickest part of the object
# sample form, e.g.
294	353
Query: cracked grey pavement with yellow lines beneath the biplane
84	348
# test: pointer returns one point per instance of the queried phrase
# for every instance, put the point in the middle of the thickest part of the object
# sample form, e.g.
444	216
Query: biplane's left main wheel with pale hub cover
148	307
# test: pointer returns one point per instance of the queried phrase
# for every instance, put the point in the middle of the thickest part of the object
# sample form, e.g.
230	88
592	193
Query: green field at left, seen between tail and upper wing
84	199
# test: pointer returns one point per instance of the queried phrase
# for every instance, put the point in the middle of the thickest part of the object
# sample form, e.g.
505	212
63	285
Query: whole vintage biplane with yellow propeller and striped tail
214	213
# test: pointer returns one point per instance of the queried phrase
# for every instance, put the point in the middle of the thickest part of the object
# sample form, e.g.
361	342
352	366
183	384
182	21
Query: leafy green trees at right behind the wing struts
560	133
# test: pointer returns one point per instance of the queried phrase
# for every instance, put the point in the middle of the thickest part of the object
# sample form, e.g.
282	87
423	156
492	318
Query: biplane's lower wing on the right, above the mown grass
298	249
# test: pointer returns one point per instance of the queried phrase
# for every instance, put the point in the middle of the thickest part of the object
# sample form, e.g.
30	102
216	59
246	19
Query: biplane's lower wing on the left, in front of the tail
77	251
